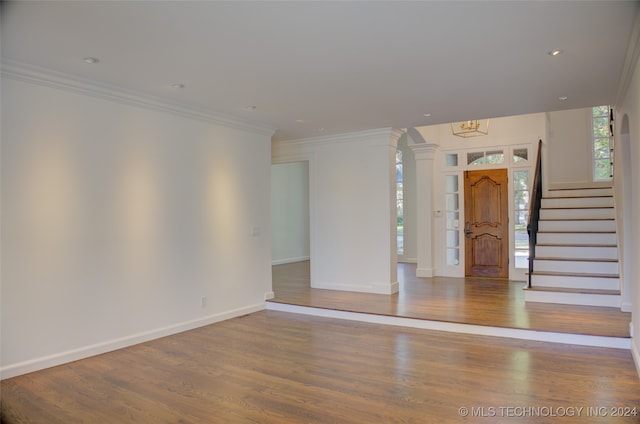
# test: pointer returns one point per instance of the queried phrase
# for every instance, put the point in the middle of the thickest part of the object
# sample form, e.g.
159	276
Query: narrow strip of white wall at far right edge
631	108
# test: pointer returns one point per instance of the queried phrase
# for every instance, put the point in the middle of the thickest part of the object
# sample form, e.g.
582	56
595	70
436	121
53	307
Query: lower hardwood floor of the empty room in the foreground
276	367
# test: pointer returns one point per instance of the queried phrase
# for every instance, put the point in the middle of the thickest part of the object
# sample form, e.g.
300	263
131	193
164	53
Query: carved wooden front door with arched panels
486	211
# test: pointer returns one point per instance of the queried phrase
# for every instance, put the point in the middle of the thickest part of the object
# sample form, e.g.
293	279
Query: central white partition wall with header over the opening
352	189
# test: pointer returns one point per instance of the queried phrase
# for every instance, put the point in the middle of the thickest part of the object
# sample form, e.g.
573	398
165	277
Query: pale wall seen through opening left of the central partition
290	212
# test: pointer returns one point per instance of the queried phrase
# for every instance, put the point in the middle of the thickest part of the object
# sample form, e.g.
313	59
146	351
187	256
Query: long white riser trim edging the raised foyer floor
480	330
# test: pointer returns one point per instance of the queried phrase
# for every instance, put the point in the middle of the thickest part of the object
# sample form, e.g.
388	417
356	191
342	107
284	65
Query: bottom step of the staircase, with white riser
605	298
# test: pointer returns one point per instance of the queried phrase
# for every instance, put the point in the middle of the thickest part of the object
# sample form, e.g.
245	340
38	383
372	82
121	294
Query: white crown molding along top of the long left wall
53	79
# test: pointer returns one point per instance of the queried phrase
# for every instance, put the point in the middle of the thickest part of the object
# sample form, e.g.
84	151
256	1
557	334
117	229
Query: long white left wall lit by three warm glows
118	220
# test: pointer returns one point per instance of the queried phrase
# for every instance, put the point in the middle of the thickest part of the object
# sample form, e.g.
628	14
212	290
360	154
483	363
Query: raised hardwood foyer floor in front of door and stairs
487	302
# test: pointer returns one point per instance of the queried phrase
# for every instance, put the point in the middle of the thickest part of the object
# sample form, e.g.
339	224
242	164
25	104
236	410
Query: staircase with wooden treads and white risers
576	258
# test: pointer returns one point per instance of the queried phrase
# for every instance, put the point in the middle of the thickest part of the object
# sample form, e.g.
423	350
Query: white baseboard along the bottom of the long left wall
36	364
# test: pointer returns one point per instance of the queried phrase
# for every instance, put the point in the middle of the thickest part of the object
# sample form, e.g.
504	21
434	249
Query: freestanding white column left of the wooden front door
424	154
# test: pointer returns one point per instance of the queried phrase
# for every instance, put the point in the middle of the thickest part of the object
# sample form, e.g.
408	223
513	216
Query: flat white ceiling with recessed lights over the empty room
307	68
